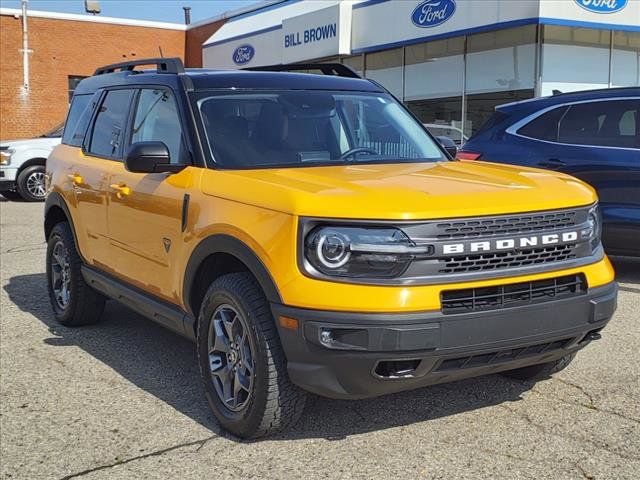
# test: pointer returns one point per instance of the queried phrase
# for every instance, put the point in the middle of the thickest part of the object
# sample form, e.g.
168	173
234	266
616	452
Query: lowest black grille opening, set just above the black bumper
512	295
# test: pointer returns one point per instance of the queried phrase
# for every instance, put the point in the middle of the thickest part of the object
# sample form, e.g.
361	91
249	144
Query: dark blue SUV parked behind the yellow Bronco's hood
592	135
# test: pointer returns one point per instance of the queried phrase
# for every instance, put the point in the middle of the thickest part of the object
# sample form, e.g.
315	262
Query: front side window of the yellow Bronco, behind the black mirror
157	119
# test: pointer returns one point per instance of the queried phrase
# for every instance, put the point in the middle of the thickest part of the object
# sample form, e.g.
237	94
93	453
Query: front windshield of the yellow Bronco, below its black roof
310	128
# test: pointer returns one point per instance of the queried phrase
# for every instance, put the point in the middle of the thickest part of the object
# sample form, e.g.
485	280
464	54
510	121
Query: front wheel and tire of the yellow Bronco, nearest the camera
271	402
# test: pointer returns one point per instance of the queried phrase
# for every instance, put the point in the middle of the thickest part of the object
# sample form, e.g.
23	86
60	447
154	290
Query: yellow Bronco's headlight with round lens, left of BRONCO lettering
360	252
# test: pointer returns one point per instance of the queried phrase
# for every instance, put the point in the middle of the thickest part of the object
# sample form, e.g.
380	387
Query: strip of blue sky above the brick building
158	10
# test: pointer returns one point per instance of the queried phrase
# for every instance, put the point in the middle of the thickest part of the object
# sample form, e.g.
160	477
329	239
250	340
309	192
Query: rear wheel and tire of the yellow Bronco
76	304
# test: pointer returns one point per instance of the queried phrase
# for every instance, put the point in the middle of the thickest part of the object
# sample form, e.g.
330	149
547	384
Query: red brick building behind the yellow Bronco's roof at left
65	48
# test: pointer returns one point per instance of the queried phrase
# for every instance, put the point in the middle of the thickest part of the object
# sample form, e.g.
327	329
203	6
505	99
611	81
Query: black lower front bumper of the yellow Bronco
374	354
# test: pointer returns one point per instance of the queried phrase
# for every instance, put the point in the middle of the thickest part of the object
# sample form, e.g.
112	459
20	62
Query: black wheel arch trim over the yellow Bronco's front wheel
233	247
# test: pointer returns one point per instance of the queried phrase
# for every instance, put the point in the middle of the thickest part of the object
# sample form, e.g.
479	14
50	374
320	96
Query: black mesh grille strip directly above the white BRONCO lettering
506	225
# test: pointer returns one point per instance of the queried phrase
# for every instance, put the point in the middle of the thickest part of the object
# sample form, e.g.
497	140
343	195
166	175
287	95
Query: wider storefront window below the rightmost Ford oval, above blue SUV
574	59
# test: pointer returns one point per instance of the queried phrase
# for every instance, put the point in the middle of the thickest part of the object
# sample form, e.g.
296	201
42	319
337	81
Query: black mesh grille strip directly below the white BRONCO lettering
510	259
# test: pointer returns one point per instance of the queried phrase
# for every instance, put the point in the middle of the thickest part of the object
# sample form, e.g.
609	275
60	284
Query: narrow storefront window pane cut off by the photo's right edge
625	59
